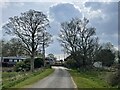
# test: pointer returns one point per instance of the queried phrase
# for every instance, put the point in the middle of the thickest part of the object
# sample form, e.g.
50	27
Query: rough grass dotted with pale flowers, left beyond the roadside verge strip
11	78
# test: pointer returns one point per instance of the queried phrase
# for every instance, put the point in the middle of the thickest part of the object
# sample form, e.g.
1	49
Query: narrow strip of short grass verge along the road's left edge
29	79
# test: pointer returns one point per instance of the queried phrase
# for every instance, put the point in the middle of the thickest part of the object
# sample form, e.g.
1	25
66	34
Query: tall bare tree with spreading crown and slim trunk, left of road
29	27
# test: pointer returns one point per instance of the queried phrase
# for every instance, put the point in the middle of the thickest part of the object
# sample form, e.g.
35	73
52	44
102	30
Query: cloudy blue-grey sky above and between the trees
102	15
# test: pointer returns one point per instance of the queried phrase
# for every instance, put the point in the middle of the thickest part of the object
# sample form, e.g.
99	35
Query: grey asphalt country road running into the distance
59	79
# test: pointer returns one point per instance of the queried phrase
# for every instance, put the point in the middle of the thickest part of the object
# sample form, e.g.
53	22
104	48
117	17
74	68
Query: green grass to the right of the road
89	79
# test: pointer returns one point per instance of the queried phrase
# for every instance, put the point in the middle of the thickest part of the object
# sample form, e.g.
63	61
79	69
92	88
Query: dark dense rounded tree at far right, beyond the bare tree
107	54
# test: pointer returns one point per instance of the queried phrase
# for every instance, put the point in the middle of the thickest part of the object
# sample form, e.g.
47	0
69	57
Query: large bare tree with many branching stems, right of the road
79	40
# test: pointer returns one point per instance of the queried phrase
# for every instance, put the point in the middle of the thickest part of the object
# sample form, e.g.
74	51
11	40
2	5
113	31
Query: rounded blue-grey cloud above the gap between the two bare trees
63	12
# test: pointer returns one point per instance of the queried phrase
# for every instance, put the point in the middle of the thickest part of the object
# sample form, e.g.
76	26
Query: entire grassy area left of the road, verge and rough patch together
14	80
